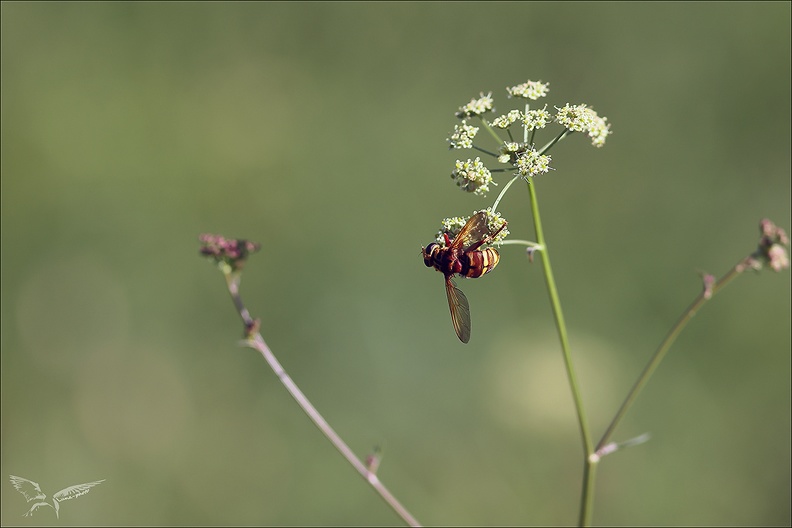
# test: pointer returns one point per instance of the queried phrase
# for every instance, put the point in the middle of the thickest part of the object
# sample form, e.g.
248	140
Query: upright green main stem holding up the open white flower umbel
589	469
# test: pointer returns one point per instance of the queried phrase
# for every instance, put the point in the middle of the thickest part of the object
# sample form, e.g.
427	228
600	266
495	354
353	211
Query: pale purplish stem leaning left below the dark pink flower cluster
256	341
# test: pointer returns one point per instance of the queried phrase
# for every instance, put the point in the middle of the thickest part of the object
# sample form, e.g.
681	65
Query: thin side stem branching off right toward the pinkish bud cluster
660	353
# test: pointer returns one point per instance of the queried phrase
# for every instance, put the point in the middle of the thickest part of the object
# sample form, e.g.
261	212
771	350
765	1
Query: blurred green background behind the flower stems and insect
319	130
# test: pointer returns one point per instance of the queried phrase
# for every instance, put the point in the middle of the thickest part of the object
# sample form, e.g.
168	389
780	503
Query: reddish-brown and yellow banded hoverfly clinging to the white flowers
463	256
